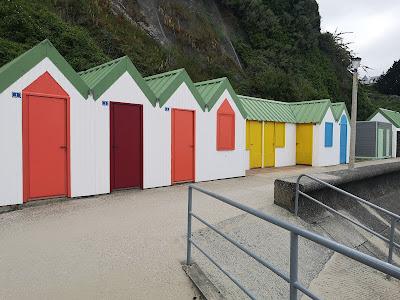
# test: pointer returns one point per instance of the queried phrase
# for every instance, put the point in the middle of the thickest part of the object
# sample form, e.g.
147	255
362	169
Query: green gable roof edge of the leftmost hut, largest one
15	69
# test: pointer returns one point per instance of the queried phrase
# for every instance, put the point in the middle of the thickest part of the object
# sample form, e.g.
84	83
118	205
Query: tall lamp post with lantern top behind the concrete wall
355	64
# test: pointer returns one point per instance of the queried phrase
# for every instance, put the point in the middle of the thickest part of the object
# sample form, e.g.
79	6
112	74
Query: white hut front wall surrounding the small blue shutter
325	156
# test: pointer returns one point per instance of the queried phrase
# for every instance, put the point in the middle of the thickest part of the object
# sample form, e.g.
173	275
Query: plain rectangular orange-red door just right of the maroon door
183	145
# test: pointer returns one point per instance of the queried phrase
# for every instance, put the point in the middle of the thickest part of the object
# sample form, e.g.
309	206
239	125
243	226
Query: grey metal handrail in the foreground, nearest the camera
295	232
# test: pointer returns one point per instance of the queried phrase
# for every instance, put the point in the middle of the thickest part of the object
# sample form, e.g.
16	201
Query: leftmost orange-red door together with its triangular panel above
45	140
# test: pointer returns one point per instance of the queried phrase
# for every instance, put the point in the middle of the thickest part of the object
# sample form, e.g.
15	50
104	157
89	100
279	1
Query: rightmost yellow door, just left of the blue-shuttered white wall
304	137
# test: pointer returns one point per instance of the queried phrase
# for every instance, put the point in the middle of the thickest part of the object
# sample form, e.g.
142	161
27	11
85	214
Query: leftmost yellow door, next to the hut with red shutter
253	142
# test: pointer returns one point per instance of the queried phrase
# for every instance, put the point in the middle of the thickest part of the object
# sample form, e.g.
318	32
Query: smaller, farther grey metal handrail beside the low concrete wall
394	217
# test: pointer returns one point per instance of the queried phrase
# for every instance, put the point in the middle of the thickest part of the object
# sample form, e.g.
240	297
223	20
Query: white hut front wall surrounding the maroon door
125	90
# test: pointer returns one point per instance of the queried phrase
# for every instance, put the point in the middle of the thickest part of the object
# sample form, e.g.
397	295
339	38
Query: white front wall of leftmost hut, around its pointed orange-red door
83	171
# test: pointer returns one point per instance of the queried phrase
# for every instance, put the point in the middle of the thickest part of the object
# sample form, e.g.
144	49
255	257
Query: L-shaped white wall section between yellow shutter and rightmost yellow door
287	156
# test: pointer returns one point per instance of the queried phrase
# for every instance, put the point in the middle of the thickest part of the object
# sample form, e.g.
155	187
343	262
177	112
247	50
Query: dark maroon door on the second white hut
126	145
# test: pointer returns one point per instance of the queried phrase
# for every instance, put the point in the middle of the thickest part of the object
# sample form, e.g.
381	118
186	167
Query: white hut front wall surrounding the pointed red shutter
212	163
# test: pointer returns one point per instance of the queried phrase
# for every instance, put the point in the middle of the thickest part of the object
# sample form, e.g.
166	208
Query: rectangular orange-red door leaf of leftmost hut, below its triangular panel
47	147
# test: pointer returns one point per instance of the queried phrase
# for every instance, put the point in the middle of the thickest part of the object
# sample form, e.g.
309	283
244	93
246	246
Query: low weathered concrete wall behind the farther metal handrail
369	182
